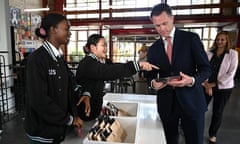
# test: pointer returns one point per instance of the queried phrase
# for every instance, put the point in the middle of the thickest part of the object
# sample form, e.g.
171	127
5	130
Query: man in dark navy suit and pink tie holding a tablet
180	100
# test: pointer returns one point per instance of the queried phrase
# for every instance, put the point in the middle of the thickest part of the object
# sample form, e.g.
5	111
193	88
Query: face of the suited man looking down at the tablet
163	24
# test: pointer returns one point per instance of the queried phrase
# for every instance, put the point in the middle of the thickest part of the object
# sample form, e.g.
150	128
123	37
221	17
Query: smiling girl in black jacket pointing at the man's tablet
93	70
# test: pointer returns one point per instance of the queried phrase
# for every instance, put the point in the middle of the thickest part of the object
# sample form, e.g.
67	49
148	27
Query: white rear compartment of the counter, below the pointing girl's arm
129	107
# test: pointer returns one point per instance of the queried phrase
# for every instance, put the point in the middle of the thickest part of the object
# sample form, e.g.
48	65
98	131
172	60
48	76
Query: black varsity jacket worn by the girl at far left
48	103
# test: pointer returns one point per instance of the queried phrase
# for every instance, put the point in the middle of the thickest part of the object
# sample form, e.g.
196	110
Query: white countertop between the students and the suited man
149	128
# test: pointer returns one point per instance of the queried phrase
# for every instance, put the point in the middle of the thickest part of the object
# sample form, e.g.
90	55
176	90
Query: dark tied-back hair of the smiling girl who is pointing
92	40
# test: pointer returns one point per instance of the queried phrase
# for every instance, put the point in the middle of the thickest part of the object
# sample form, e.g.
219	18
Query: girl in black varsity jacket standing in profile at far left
49	104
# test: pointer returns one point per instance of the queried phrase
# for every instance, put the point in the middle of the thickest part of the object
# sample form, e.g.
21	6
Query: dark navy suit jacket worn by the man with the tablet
188	57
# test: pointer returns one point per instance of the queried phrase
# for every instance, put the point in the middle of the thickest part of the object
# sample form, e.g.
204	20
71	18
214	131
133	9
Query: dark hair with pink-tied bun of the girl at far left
50	20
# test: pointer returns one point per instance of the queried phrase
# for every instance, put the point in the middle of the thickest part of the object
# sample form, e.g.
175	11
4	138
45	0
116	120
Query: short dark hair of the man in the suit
159	8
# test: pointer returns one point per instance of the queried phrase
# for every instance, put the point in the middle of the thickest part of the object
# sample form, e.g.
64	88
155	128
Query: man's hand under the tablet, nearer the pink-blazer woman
184	81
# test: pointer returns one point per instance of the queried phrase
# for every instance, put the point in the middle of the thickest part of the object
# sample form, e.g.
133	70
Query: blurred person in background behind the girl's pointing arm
142	57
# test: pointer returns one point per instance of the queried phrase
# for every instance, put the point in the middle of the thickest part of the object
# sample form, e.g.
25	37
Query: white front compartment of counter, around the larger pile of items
129	125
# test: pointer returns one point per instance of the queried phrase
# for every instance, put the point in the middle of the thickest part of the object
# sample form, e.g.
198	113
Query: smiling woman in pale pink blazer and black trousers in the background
224	63
